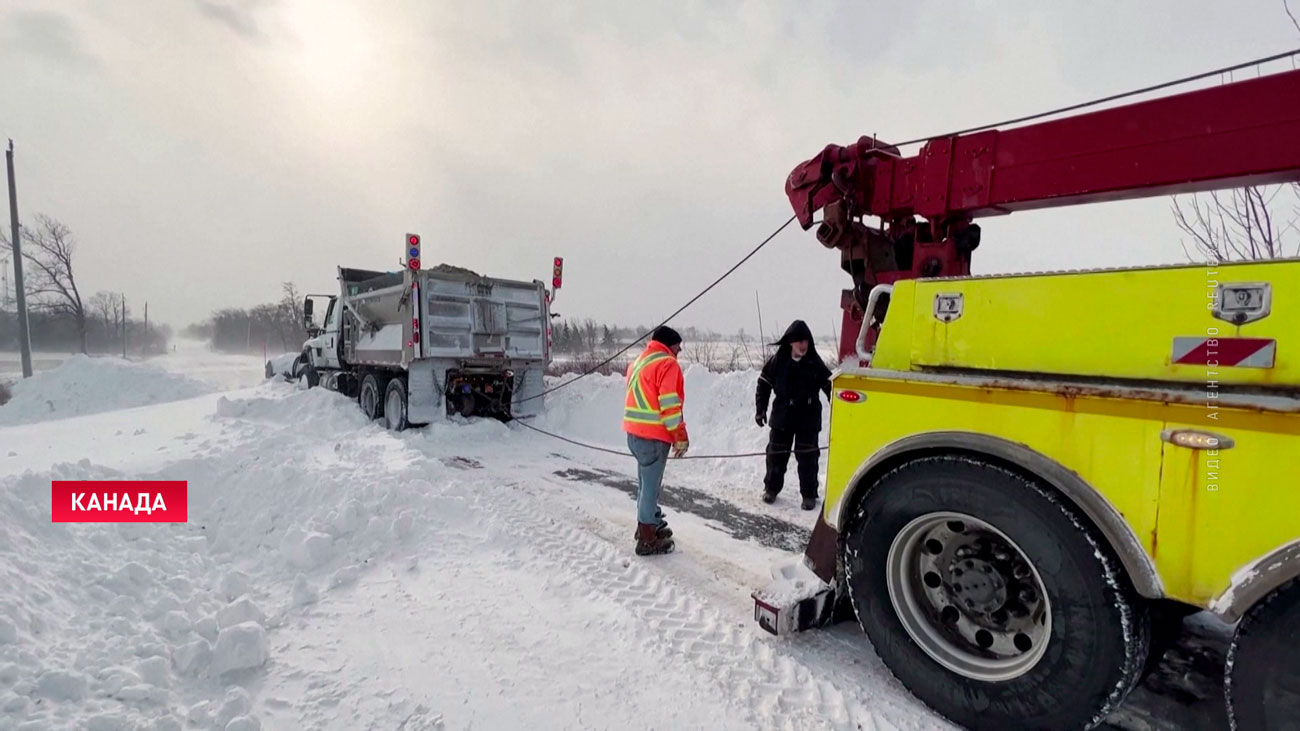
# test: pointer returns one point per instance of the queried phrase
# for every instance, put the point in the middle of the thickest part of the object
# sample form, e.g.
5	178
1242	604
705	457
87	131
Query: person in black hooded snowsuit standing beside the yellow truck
795	377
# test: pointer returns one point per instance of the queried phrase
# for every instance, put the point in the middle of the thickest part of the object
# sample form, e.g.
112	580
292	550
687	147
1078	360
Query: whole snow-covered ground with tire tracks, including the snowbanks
335	576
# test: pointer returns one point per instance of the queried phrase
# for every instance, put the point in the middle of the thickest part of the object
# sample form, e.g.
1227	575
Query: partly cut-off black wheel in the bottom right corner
1263	676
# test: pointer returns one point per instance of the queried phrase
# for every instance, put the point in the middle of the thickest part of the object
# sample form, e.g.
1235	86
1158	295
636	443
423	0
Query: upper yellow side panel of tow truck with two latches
1113	325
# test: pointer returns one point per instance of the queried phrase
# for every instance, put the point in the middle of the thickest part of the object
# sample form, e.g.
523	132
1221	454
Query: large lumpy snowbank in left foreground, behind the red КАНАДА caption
133	626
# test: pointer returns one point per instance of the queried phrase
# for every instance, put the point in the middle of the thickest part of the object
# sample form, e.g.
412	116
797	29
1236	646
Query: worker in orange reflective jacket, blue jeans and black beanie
656	426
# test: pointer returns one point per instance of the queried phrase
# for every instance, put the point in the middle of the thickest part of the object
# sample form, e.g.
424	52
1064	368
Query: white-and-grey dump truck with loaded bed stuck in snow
419	345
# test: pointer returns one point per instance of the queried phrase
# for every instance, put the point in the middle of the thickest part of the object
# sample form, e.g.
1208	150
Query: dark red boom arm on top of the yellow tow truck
1230	136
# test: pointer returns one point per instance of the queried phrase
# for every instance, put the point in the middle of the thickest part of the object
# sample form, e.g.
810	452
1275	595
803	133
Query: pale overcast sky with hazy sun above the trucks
203	152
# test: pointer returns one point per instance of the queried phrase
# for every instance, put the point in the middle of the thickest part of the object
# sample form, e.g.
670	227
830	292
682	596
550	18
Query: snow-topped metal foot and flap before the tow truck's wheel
801	595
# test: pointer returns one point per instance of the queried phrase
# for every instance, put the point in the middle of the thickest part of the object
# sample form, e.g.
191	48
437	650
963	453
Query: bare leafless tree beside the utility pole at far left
50	249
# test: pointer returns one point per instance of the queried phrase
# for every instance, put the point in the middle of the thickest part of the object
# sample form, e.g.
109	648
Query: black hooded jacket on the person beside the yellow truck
795	383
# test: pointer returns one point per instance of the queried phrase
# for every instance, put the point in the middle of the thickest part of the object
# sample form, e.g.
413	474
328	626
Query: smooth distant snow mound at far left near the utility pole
90	386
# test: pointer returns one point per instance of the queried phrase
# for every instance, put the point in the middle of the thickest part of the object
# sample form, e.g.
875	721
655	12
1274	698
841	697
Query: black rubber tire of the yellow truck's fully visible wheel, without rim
1100	625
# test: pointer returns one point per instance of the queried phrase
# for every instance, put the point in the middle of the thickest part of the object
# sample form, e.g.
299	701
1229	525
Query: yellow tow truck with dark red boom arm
1034	479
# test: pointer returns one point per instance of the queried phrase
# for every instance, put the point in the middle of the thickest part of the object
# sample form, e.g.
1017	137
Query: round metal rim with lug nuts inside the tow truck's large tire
969	596
